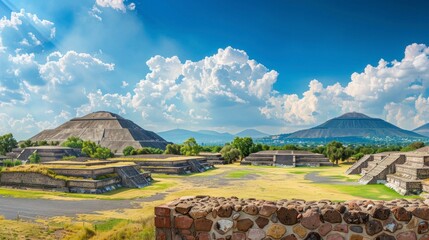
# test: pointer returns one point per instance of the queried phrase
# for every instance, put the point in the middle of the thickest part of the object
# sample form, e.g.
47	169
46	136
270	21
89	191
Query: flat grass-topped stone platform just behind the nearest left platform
169	164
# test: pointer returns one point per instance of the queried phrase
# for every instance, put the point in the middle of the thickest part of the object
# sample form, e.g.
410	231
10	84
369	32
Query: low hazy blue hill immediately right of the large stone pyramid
202	137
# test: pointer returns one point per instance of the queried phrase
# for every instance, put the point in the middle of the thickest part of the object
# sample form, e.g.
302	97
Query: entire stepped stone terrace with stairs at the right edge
405	172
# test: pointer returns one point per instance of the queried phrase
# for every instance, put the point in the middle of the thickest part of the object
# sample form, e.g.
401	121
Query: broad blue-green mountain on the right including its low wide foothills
350	127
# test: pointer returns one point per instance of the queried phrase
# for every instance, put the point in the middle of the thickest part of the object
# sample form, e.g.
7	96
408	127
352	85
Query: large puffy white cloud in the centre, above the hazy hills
198	91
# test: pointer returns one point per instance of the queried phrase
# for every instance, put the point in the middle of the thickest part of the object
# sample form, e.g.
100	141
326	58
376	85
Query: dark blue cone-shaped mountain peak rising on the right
352	125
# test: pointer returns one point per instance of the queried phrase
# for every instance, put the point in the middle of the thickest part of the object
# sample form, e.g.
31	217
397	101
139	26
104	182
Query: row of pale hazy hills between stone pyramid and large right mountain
208	136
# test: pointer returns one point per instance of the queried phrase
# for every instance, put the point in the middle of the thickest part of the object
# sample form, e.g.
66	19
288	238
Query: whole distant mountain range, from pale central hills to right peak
351	127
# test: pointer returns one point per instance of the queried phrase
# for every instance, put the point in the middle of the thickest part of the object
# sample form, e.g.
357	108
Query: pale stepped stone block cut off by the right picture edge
408	178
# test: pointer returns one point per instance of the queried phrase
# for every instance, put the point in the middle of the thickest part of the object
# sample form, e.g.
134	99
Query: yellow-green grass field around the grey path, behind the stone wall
271	183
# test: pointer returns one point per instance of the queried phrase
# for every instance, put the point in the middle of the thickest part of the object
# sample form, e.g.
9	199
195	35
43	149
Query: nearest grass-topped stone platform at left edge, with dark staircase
74	176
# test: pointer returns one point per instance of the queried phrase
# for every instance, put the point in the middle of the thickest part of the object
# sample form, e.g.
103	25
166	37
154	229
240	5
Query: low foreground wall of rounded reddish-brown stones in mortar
204	218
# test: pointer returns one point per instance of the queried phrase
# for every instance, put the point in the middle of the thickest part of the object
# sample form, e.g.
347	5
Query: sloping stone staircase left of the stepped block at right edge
377	171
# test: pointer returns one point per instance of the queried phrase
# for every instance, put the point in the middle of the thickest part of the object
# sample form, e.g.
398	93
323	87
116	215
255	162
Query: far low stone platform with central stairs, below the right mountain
286	158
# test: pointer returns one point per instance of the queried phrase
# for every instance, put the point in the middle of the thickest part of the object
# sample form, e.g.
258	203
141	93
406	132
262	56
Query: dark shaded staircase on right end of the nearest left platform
133	178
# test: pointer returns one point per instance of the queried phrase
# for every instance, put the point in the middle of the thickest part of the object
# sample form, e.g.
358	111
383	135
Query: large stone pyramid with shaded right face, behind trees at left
105	128
